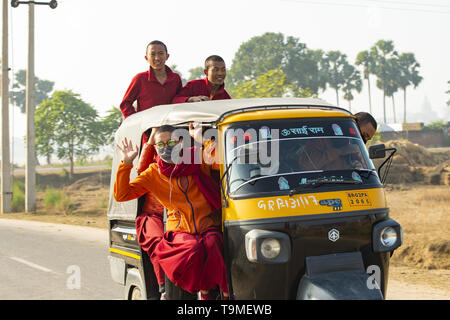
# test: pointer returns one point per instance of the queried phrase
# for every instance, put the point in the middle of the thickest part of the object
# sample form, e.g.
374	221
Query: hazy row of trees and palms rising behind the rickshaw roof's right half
302	71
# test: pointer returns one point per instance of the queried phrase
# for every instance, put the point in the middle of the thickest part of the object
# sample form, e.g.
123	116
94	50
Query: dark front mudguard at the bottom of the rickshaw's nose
337	277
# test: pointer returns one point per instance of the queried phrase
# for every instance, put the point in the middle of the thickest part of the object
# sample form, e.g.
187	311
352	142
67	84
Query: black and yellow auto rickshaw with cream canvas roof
303	208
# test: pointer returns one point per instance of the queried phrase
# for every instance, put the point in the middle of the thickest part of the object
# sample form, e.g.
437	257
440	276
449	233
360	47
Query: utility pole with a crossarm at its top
30	170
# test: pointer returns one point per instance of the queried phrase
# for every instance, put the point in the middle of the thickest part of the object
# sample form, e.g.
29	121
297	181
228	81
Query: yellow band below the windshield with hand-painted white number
302	204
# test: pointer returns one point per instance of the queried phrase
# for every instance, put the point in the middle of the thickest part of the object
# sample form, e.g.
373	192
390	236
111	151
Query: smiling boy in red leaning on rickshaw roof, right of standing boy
210	88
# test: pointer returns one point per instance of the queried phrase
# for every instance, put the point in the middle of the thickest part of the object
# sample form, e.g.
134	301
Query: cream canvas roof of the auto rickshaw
212	111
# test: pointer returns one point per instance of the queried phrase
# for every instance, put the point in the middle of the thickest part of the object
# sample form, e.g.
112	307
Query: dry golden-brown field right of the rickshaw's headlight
424	213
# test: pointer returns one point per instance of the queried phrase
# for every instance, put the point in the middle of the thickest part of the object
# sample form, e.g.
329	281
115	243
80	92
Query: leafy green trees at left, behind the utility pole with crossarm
65	125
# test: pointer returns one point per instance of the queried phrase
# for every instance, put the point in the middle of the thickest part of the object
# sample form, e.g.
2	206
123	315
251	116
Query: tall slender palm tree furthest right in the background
408	74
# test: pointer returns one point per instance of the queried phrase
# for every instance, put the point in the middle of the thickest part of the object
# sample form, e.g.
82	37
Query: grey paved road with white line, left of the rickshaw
54	261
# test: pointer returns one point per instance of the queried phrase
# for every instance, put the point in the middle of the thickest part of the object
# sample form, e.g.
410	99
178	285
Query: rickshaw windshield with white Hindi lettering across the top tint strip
273	155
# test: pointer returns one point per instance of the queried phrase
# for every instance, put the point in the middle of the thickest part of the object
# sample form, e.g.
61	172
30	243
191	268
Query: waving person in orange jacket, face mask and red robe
190	252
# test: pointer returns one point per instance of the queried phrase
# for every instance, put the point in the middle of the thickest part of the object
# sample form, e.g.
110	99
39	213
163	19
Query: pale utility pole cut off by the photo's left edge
6	194
